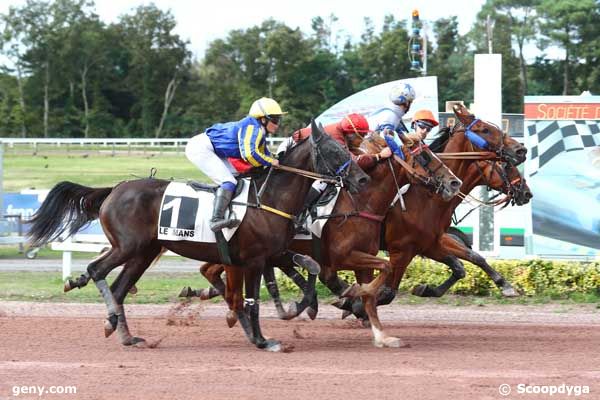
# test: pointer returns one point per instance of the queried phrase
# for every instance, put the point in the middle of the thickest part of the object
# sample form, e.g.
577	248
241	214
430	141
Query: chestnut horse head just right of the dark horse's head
425	167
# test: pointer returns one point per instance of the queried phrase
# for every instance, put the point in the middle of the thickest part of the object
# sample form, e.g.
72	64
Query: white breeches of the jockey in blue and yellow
201	153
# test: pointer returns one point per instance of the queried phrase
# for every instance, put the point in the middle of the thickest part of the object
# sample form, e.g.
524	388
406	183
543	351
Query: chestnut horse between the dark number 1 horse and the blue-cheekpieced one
351	237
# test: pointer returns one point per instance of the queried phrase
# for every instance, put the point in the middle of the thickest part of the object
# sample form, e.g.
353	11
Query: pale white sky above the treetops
200	22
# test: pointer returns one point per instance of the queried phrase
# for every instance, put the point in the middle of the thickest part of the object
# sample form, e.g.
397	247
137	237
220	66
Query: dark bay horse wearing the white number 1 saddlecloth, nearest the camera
129	214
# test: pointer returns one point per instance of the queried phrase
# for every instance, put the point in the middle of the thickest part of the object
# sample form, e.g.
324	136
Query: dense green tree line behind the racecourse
66	73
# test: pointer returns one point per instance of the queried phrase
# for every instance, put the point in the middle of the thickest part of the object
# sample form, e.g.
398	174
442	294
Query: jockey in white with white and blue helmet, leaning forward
401	97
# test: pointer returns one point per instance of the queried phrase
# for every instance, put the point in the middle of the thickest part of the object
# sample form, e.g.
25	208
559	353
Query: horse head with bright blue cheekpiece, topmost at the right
488	136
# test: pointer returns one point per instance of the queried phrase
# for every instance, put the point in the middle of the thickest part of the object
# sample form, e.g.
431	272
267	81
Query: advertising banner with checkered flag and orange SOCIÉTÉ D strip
562	134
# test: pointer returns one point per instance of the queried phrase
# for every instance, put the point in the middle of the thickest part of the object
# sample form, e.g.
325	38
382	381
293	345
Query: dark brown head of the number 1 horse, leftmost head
330	159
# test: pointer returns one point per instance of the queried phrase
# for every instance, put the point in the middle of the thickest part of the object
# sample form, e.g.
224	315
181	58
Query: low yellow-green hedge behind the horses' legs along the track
529	277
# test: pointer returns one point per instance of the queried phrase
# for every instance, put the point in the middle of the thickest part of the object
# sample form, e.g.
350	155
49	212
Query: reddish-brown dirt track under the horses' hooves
199	357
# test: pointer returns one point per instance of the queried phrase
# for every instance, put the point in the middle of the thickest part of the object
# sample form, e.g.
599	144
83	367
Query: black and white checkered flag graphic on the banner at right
546	139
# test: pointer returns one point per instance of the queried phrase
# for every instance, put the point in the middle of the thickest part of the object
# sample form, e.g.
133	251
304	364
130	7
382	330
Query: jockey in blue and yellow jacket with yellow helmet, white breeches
244	139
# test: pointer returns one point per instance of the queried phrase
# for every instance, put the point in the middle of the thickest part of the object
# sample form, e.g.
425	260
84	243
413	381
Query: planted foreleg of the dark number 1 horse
252	277
